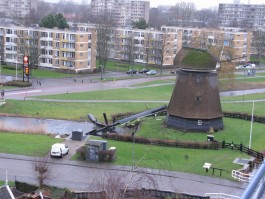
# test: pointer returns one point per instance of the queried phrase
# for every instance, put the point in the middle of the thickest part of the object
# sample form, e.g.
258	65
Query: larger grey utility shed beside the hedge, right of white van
93	147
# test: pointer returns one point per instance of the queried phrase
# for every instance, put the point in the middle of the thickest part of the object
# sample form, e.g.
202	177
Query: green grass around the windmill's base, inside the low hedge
235	130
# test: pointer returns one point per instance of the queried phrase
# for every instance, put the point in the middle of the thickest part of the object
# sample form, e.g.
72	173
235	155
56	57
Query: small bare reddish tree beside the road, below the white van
43	168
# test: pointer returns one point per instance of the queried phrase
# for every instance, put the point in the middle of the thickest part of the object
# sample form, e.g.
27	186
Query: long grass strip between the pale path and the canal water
71	111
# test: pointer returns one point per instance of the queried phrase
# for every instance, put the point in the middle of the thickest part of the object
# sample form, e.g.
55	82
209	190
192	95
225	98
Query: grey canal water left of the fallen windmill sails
34	125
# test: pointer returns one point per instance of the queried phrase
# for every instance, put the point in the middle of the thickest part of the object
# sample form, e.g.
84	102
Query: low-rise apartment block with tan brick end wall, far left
52	48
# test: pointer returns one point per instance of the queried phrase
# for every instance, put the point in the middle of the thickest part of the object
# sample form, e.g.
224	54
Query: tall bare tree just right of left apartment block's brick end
104	29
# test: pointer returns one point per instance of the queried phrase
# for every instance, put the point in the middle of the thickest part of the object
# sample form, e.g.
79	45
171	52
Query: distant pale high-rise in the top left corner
17	8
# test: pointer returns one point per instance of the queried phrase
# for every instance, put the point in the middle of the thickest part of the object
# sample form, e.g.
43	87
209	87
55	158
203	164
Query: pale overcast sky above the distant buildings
198	3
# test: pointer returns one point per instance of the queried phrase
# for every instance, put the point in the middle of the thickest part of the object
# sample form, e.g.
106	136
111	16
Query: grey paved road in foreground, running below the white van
82	176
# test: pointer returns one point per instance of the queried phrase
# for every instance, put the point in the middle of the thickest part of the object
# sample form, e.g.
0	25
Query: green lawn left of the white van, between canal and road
26	144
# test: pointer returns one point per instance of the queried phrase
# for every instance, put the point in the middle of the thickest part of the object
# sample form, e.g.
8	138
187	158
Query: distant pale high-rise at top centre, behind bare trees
123	12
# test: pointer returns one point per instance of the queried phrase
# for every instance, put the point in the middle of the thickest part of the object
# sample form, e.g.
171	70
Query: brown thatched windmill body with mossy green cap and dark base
195	102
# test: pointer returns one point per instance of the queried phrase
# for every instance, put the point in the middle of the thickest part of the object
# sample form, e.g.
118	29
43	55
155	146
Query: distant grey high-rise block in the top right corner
242	15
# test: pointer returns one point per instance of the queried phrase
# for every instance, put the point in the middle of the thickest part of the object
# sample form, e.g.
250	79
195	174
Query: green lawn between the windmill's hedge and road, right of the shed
170	158
